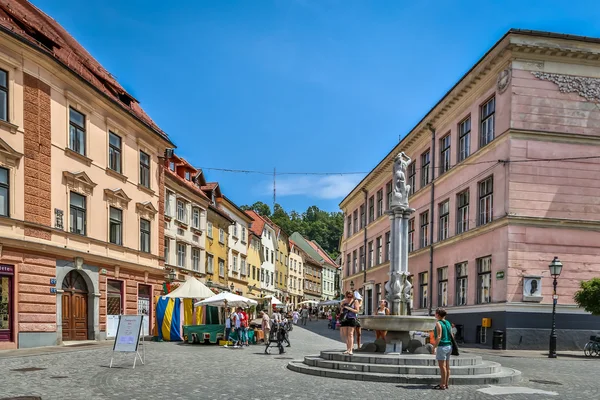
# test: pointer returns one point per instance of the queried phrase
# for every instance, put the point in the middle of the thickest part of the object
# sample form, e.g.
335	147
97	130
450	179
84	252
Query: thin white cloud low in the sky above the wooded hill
322	187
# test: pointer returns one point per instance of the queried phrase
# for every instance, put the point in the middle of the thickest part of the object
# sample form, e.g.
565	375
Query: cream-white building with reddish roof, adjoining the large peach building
185	220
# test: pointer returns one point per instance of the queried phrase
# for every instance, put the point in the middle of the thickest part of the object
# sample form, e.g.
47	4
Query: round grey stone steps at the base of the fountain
418	369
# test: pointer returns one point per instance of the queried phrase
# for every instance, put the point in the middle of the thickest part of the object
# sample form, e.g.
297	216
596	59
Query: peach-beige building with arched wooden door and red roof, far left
81	223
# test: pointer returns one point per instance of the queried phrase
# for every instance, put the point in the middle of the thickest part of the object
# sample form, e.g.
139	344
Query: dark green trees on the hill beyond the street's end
315	224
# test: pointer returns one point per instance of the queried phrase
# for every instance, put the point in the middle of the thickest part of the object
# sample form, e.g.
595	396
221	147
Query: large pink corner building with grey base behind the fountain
505	176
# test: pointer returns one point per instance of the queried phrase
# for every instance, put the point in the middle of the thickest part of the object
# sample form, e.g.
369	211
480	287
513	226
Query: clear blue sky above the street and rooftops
297	85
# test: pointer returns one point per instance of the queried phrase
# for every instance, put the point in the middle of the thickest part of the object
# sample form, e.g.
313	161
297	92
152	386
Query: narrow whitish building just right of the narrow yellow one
238	245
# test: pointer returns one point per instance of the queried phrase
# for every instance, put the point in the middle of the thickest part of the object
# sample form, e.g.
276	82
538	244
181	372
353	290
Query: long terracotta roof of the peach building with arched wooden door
30	24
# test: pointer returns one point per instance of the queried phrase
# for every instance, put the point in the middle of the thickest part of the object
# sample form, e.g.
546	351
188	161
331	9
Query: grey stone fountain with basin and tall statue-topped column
398	324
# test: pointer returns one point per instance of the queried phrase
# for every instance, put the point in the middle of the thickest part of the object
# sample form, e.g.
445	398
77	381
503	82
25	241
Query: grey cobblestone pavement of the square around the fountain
176	371
